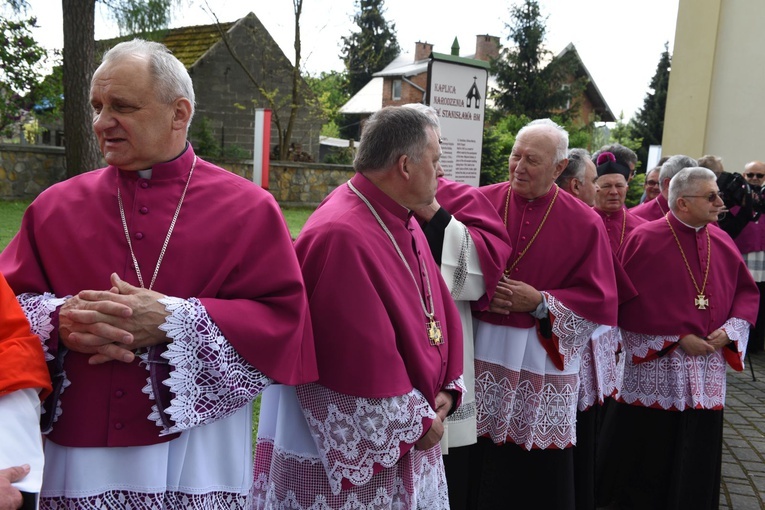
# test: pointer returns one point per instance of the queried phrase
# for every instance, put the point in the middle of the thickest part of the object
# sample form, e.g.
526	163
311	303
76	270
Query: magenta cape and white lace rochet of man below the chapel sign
570	261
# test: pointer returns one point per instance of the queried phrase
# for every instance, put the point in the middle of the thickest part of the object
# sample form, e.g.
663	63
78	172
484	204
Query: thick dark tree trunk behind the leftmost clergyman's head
82	152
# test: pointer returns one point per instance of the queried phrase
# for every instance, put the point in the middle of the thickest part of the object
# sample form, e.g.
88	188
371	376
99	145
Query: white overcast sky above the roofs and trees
620	41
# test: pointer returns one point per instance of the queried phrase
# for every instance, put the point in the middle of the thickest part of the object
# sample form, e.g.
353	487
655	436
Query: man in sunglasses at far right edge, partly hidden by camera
751	243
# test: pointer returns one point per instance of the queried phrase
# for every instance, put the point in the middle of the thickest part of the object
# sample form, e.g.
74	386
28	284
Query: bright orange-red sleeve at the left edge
22	362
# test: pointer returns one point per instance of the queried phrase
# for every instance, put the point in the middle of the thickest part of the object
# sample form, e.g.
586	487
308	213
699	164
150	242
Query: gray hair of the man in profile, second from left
389	134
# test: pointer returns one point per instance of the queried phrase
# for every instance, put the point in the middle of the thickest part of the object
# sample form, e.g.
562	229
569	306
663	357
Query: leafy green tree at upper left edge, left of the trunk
20	71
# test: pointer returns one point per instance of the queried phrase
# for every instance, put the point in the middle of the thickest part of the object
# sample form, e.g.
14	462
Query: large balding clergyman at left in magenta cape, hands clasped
167	293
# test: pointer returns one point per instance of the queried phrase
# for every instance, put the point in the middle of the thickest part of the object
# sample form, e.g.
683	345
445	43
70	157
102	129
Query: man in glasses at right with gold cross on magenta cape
689	320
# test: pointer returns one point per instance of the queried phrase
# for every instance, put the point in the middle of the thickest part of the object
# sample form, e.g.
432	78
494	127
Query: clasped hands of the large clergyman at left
112	324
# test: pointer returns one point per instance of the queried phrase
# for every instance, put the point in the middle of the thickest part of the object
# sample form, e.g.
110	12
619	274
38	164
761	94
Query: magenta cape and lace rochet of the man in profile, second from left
348	440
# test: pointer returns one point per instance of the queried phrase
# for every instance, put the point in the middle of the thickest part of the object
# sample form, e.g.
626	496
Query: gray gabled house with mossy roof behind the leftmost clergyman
226	96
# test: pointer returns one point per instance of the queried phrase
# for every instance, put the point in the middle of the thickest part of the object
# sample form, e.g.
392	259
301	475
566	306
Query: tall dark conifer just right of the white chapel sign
530	82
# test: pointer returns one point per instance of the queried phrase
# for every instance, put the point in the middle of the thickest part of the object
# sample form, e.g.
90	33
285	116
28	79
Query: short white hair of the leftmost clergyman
170	75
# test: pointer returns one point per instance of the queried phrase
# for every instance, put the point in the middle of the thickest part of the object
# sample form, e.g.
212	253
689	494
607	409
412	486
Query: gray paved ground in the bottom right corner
743	467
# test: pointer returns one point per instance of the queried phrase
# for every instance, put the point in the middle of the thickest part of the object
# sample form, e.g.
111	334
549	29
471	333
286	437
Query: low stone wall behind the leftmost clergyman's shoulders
26	170
